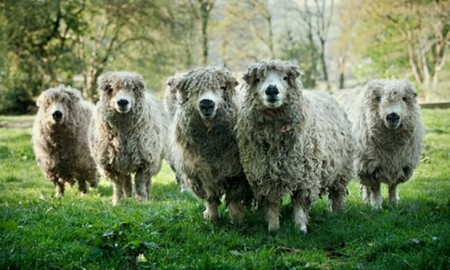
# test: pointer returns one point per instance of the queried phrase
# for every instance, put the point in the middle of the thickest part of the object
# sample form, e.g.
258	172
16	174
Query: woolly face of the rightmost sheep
392	100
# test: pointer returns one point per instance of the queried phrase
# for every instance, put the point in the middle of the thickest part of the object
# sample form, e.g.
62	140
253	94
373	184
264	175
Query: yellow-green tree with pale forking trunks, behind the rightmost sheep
416	31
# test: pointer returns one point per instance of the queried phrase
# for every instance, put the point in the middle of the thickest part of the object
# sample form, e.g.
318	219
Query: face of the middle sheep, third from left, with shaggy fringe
206	90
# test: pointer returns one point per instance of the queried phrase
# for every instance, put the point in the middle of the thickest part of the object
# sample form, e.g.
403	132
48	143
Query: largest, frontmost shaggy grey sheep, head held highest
292	142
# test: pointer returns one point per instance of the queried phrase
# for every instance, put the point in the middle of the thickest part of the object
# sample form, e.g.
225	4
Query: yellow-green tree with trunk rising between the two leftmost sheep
113	25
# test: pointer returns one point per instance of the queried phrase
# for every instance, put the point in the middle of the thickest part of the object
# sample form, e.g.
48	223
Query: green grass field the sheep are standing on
38	231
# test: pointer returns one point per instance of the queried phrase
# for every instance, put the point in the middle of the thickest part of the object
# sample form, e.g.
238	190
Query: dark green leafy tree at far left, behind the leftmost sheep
37	37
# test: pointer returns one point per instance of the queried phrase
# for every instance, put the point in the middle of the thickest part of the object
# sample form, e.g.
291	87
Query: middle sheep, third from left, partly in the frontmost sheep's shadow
204	142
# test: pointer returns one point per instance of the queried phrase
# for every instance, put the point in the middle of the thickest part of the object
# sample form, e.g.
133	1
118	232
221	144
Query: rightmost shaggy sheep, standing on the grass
387	128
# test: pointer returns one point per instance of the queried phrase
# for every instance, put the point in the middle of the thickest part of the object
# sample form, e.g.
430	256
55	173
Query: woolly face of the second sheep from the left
121	90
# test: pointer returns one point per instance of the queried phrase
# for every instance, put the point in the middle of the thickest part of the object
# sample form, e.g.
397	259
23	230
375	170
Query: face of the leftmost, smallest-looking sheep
57	103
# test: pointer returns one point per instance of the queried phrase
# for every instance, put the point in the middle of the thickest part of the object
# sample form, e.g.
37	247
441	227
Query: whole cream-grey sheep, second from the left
128	134
